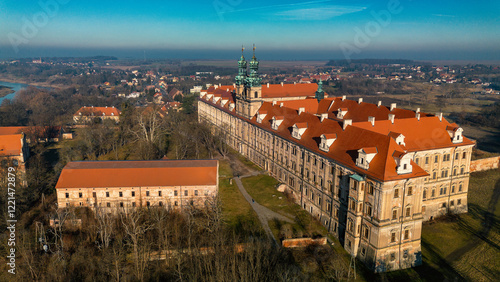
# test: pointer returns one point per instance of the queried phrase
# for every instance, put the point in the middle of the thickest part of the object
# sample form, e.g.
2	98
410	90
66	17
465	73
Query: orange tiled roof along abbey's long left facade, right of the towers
344	149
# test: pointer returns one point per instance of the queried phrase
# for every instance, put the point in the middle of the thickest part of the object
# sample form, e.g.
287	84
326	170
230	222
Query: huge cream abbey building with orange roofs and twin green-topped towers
370	173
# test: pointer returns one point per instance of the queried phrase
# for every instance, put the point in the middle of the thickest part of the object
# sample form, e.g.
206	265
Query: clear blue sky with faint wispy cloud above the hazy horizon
448	30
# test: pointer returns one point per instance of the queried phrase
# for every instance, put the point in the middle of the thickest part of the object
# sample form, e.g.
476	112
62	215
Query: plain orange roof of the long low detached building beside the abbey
102	174
